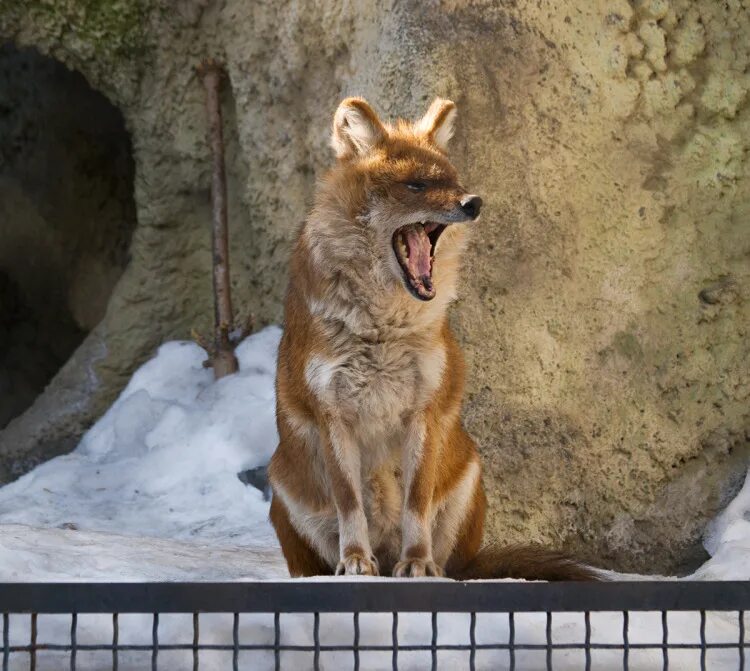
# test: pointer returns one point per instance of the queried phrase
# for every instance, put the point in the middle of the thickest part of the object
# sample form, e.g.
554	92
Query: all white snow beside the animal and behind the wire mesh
152	493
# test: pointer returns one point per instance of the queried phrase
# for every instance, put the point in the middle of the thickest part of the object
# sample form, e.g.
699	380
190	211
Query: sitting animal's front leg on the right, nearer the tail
419	469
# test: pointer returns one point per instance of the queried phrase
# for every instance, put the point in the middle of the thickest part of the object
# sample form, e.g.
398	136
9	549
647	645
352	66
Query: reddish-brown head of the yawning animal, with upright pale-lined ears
395	183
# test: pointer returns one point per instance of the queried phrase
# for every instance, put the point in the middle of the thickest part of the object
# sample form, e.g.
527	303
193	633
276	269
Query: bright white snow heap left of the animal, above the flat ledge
163	460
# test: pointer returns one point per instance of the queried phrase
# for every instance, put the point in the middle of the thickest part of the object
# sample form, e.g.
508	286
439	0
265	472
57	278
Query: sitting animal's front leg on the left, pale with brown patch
343	467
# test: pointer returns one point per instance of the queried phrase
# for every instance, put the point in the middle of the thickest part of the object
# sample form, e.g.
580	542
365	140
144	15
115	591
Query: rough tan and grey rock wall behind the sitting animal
604	313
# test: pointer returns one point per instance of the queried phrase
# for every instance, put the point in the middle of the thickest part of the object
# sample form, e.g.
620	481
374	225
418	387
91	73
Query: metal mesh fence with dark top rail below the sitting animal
391	624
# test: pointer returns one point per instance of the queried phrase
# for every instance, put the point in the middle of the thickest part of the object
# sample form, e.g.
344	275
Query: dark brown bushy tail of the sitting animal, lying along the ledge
525	562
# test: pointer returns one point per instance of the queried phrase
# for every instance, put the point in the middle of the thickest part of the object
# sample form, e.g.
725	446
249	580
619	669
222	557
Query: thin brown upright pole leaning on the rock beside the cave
223	360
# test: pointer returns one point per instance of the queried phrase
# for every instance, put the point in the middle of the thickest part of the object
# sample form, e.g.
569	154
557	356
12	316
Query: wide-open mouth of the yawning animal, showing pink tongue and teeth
414	246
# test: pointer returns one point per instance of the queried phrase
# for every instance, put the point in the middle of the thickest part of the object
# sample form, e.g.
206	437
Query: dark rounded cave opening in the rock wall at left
67	215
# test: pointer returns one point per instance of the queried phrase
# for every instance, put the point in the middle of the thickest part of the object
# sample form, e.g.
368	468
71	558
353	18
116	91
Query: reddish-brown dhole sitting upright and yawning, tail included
374	472
